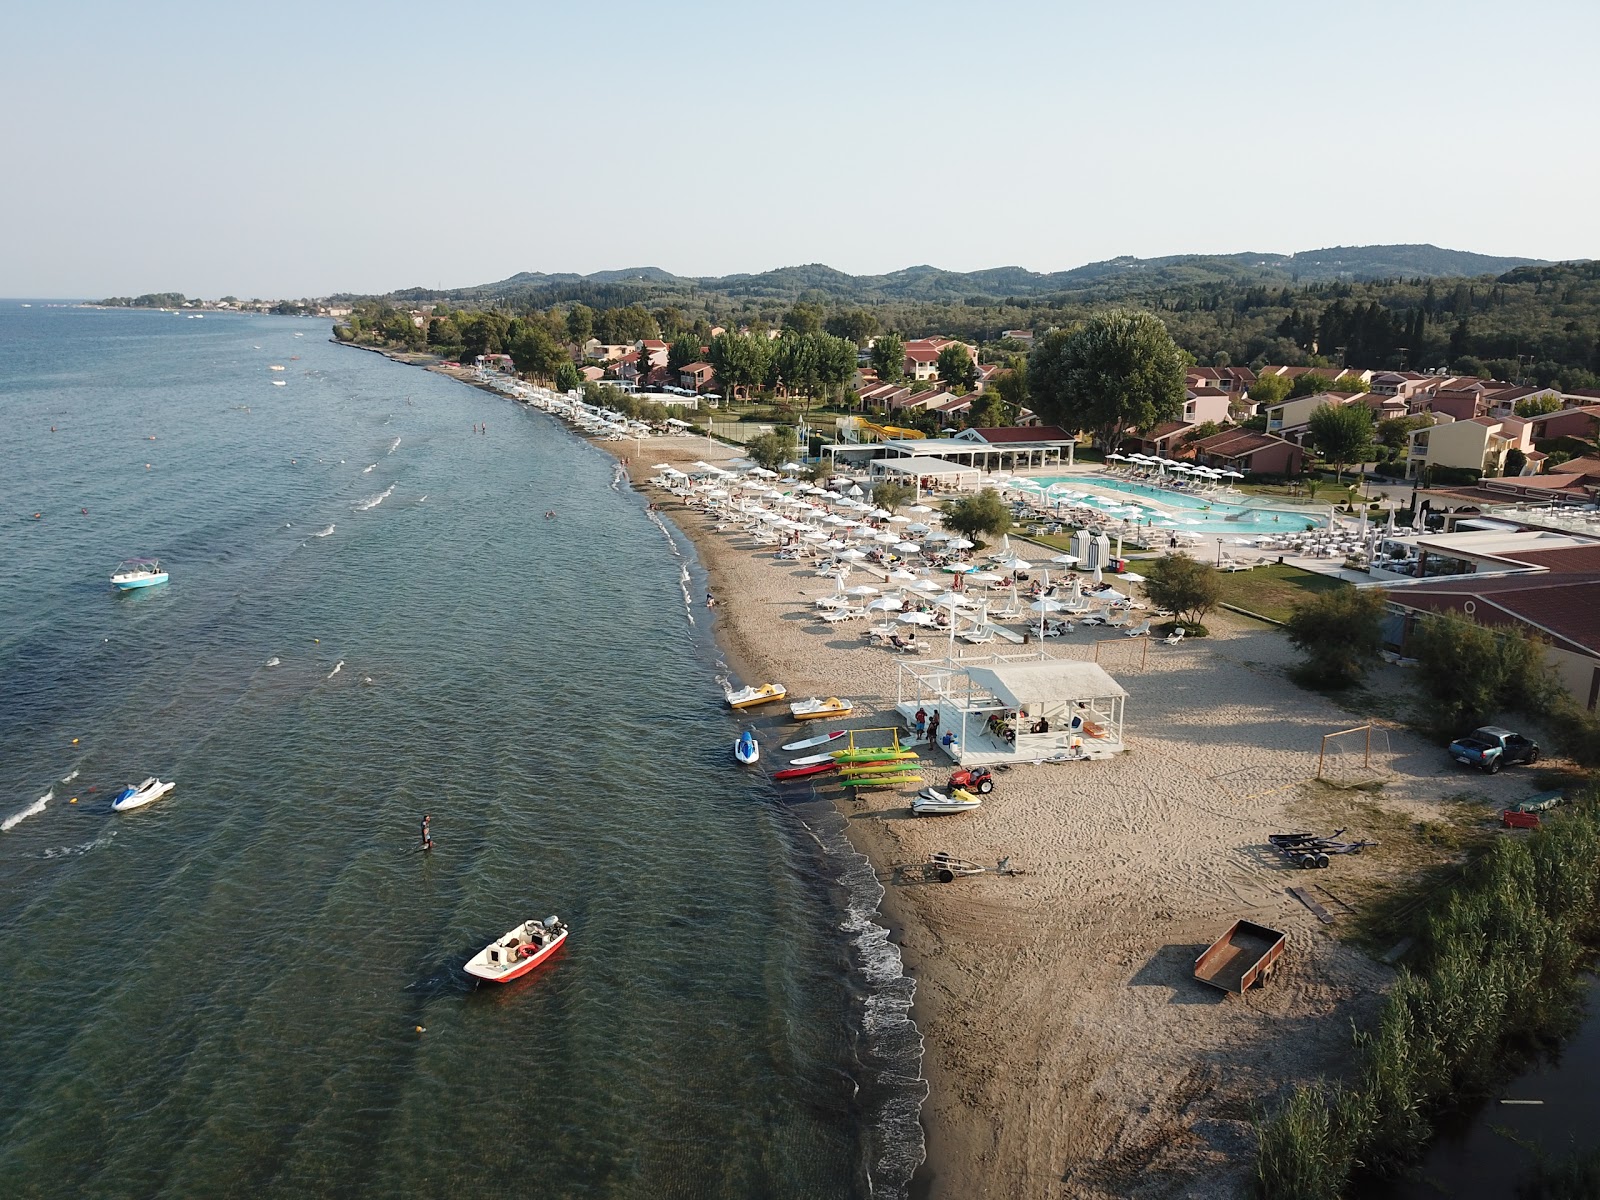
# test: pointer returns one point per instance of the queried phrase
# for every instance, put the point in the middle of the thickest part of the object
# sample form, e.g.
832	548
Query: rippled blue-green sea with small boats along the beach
255	985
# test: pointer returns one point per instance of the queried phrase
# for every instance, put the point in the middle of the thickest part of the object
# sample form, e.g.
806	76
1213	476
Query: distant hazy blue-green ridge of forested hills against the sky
1113	279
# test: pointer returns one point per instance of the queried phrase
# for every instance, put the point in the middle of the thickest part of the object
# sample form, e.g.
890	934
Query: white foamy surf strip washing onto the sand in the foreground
890	1046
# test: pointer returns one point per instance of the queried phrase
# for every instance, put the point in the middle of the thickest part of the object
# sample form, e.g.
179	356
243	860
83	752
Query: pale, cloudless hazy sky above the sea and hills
300	150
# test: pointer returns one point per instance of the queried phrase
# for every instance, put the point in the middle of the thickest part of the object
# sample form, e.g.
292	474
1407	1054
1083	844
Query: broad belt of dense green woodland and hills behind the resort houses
1537	322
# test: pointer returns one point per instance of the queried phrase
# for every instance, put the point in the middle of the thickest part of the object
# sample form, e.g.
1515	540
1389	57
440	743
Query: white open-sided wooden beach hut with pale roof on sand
1017	710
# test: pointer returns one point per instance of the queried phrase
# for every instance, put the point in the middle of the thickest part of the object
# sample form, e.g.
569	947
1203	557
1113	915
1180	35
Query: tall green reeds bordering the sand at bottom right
1495	974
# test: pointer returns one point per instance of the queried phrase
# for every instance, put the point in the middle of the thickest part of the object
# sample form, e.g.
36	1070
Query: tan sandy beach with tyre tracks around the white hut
1070	1049
